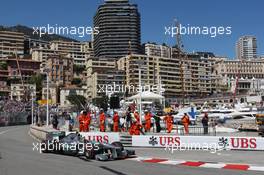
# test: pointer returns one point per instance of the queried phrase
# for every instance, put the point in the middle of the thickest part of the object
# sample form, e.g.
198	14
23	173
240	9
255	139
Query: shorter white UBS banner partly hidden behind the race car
106	137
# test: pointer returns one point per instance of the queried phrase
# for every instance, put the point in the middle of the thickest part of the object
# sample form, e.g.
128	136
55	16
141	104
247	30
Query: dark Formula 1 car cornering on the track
76	145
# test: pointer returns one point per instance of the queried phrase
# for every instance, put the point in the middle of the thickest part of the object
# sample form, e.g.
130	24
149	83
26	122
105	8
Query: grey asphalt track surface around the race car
18	158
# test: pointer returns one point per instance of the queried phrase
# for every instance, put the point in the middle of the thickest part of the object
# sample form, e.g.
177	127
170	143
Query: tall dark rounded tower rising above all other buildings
119	29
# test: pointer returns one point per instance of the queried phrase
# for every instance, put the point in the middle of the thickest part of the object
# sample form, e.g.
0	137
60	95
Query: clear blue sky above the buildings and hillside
245	18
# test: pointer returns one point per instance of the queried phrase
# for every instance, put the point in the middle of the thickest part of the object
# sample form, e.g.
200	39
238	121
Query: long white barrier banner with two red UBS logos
199	142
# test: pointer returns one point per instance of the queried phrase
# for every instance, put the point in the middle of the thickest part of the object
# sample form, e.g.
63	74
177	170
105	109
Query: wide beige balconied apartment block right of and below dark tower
194	79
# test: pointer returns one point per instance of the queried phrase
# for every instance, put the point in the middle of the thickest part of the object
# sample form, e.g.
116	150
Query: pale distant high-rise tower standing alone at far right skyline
246	48
